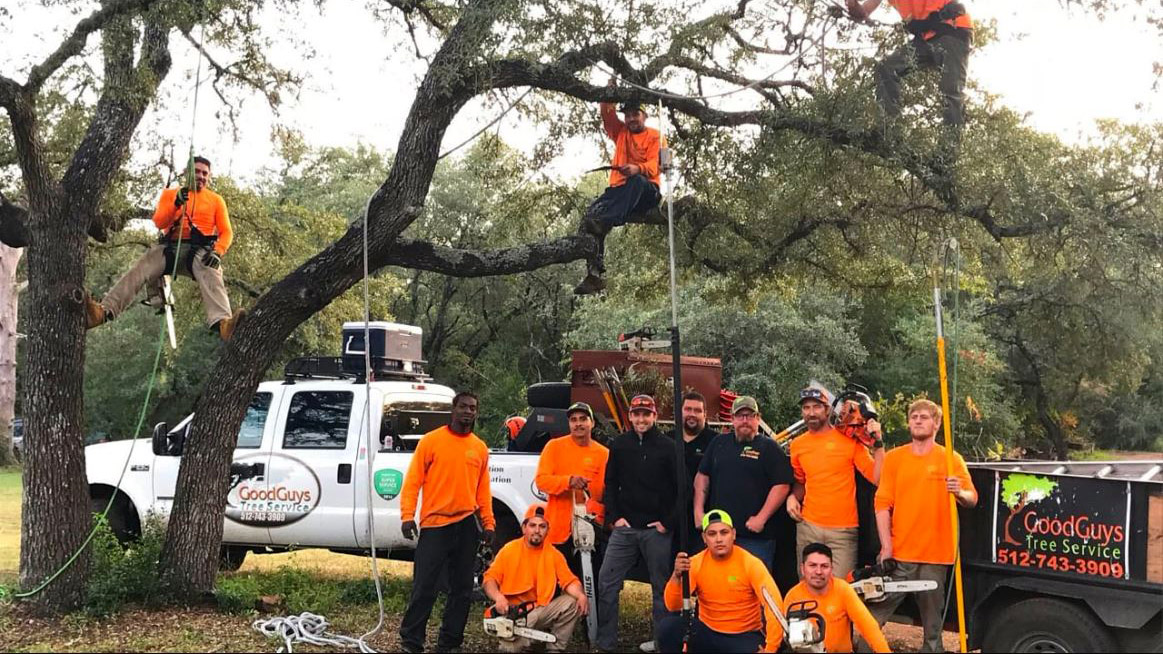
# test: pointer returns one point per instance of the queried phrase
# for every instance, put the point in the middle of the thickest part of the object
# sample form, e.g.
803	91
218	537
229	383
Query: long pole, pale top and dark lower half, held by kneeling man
667	168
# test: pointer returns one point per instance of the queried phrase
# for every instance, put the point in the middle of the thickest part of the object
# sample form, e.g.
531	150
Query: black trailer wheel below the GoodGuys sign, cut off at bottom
1047	625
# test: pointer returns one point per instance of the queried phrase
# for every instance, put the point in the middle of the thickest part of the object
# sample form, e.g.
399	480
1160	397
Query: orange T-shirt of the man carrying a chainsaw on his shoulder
824	464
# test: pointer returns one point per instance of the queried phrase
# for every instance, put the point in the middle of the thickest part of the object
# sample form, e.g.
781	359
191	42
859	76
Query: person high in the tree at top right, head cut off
943	33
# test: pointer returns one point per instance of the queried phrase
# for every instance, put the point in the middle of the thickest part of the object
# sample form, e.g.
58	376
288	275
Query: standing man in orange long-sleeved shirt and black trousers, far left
451	466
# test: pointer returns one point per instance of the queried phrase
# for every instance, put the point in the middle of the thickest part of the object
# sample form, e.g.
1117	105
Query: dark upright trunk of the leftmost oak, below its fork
55	507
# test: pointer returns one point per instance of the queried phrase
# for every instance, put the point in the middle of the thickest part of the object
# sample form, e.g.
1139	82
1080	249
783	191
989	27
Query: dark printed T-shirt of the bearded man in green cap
741	477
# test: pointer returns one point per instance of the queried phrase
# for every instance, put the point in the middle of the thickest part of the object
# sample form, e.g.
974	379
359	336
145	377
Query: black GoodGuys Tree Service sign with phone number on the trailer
1059	524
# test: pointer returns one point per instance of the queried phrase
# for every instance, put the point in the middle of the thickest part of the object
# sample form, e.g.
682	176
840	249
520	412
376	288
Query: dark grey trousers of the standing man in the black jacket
623	552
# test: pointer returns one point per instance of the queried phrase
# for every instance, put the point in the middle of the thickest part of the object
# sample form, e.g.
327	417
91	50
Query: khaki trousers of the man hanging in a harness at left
149	271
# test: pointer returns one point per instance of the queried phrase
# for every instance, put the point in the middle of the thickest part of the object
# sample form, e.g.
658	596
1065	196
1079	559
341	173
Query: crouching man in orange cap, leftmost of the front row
526	571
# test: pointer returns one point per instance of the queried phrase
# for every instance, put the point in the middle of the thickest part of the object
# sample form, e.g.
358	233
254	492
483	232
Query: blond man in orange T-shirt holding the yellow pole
914	518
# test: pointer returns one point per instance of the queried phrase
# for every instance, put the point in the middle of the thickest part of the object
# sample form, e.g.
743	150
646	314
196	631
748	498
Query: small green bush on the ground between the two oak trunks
125	575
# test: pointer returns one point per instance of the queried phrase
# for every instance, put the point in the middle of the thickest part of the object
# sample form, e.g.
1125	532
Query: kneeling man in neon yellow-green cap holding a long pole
730	584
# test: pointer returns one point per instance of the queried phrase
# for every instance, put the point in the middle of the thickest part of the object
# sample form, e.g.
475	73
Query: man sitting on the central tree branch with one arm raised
633	184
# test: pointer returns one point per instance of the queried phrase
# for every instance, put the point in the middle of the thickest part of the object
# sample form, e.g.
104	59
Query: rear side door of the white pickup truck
312	468
